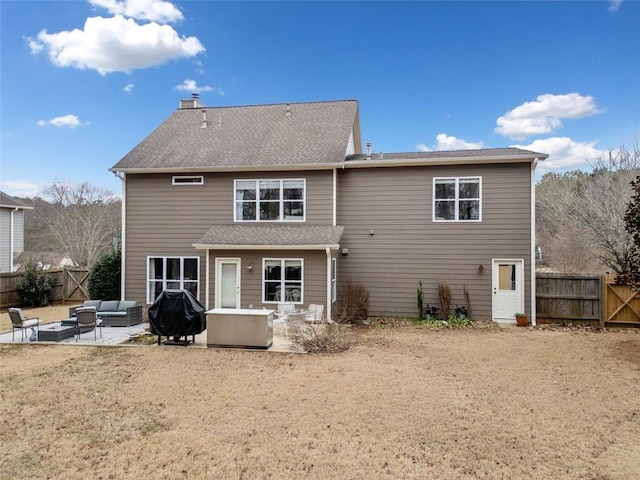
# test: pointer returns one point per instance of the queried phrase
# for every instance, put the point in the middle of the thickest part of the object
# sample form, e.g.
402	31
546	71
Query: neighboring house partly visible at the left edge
11	231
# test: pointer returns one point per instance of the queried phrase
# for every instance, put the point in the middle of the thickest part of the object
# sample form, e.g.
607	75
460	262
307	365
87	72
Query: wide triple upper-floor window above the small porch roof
270	200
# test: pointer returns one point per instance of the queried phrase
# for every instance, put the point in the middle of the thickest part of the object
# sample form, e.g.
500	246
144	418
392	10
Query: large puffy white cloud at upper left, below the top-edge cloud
115	44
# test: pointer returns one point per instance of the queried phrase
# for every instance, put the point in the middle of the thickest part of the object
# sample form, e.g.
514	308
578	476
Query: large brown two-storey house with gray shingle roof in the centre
248	206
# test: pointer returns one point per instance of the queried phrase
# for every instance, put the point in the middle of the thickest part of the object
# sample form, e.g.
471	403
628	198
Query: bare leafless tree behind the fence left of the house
82	220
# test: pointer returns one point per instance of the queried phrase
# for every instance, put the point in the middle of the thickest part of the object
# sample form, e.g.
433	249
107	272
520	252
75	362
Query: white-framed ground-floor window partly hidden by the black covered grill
174	273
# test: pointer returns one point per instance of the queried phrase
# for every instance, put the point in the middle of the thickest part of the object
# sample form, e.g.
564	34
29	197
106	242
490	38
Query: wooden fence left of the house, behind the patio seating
68	285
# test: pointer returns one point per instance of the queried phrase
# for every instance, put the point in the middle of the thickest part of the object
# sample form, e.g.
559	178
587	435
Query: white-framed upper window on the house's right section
457	199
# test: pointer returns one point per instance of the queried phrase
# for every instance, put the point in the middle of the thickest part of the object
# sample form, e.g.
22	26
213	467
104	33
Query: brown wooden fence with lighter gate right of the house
585	299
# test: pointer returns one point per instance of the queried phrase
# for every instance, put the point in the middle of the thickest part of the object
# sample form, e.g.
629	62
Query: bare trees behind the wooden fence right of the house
580	216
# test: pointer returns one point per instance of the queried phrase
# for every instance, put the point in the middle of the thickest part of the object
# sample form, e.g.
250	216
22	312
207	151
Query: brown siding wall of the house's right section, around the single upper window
407	246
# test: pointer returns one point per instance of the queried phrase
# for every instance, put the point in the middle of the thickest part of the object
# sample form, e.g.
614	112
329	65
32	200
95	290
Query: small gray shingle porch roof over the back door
272	235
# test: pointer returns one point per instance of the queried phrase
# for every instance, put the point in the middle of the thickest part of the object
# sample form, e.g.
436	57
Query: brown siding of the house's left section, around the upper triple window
166	220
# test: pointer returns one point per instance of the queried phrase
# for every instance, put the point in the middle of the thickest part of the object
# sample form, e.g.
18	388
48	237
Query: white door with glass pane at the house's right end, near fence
508	289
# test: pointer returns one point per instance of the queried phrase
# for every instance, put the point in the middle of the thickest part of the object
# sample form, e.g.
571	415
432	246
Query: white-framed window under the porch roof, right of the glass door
282	280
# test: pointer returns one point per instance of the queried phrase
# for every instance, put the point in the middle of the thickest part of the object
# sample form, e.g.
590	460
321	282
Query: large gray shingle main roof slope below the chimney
279	135
